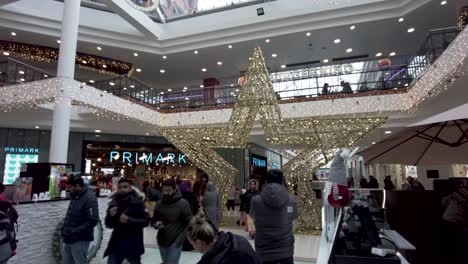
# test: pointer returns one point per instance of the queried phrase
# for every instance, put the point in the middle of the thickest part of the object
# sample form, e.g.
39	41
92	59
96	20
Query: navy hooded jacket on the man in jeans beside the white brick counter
81	218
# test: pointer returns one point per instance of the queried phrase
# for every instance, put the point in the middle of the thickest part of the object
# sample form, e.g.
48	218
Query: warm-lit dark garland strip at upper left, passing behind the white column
85	61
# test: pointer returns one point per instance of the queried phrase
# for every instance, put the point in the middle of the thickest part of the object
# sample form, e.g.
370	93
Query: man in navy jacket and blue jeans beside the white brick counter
81	218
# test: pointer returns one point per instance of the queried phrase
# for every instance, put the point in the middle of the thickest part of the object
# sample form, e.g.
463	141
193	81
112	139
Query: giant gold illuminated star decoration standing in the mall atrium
319	137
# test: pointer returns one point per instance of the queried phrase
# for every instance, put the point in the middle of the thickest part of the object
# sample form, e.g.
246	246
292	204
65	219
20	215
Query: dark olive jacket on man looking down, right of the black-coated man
175	214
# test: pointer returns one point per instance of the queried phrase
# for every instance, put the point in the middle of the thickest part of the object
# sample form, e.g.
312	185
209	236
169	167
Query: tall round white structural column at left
66	69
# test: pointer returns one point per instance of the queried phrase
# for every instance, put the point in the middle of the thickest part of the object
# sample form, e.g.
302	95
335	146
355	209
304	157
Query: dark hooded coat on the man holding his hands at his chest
127	238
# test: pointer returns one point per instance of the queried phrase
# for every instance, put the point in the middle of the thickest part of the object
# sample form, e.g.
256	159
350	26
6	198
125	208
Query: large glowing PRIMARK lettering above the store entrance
147	158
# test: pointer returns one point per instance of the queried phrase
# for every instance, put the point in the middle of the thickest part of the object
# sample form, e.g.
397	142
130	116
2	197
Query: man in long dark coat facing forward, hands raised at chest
128	217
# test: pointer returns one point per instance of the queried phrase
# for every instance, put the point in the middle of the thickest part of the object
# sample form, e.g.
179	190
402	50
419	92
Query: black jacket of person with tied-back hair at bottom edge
230	249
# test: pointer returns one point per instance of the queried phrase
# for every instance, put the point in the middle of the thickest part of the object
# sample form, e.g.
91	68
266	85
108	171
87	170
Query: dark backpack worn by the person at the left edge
8	219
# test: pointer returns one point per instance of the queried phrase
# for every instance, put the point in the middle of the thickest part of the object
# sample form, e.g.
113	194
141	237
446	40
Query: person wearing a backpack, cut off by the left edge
8	219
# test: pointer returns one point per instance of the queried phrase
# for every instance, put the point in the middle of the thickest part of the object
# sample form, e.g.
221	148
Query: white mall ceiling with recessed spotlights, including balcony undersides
170	55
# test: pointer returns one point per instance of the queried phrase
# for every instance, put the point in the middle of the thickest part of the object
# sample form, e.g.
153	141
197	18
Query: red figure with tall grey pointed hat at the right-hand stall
337	183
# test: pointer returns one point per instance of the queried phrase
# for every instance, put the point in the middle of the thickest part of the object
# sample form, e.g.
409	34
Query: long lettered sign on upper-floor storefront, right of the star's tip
312	73
